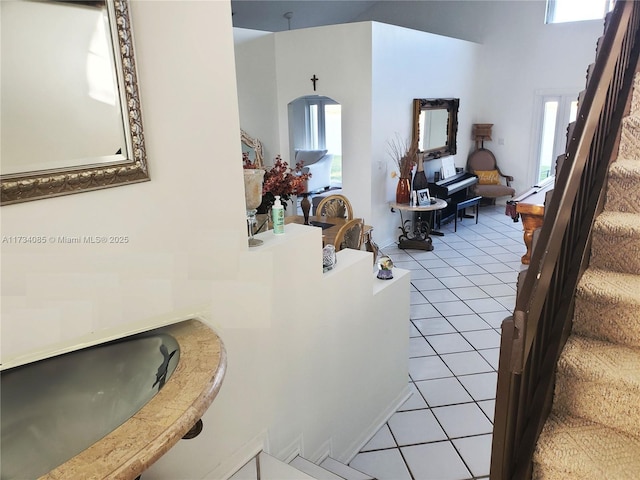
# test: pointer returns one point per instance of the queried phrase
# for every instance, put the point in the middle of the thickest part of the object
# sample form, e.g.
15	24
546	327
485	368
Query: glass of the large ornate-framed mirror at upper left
69	62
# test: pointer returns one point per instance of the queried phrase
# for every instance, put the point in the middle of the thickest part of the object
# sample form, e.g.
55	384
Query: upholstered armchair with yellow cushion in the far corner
492	183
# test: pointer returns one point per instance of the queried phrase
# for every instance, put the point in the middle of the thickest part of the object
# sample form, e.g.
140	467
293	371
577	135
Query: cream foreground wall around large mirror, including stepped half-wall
308	375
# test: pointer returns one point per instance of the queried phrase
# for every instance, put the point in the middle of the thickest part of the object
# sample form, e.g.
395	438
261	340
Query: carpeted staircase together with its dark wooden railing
568	396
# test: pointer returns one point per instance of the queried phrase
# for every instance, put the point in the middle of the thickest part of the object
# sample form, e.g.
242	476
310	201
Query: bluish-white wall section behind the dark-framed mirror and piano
409	64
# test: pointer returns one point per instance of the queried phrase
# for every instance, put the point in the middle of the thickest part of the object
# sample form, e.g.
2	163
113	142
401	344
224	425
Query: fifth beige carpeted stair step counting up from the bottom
623	194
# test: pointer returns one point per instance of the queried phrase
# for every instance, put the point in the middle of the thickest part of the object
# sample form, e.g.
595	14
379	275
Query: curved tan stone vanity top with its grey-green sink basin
110	410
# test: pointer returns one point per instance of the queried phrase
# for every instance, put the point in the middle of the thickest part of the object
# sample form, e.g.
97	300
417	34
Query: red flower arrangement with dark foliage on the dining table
279	180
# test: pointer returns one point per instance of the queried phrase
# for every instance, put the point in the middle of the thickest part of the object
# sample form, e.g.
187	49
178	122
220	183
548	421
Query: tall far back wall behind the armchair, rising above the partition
520	56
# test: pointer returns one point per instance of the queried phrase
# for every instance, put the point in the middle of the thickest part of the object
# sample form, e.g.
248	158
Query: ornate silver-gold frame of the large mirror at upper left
26	186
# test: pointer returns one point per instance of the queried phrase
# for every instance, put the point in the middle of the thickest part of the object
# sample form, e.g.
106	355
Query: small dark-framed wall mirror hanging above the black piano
435	126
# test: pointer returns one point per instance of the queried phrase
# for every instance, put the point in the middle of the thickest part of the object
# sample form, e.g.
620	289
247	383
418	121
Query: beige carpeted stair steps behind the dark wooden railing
593	431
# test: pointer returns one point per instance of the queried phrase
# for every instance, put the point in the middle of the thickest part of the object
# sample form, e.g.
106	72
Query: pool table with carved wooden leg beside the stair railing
530	206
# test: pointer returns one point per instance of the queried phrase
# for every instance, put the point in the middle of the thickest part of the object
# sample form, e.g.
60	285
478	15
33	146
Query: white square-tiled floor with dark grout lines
460	293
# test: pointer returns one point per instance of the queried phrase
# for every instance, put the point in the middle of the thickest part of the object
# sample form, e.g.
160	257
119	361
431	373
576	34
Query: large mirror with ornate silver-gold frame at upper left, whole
70	109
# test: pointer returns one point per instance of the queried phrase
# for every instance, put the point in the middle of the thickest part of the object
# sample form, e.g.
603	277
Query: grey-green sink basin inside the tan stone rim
55	408
